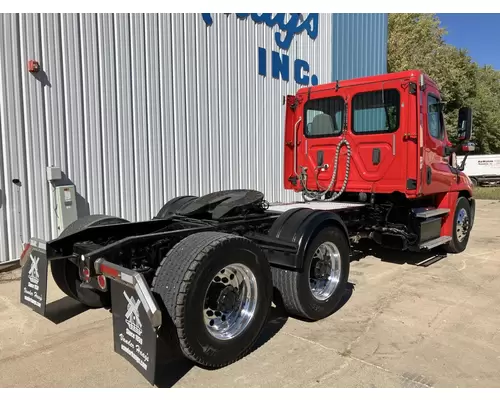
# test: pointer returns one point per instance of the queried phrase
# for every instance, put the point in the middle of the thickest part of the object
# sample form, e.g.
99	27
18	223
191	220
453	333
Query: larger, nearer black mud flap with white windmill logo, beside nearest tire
134	335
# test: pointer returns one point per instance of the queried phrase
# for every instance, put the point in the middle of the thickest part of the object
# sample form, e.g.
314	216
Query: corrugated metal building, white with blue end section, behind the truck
138	108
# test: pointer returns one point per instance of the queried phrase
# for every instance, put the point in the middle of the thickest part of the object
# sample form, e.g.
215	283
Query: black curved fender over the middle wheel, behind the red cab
301	225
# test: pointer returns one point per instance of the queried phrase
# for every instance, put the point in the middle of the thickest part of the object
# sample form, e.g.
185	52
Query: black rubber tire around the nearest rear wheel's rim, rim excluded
183	279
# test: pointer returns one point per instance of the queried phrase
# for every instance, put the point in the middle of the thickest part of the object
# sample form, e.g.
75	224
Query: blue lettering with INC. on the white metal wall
289	26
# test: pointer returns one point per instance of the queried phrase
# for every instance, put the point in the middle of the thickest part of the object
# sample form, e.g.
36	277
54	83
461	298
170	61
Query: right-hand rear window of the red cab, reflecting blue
376	112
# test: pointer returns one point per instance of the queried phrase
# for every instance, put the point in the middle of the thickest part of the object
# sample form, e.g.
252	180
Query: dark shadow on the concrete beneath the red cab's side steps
423	259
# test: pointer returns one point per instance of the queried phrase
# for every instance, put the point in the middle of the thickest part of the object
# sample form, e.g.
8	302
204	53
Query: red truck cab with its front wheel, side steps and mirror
381	140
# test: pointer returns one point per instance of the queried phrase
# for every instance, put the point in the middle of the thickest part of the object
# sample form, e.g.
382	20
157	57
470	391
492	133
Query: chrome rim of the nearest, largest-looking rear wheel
230	301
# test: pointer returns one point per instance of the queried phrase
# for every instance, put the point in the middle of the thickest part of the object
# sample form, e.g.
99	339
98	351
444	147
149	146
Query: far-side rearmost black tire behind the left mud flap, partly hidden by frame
65	273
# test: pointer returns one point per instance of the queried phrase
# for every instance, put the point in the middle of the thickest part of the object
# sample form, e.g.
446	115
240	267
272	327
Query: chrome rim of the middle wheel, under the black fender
325	271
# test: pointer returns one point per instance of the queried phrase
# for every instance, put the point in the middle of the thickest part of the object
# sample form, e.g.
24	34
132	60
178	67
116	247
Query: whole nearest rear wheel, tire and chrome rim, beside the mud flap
217	288
